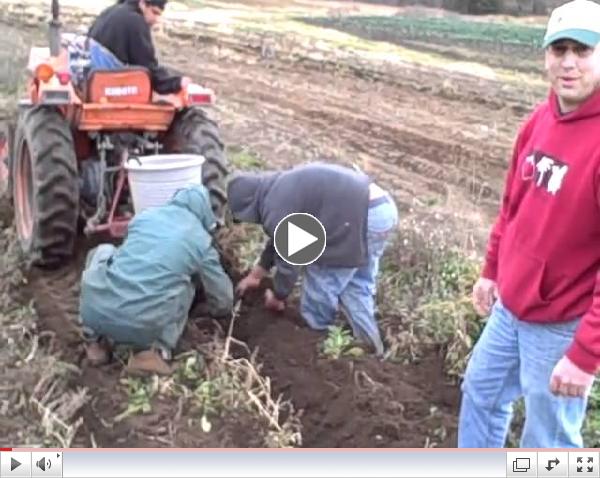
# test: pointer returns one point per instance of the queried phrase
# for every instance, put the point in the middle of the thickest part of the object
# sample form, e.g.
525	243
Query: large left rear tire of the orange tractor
45	187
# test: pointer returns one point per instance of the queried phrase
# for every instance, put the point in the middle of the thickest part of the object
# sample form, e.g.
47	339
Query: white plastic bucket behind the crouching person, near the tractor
154	179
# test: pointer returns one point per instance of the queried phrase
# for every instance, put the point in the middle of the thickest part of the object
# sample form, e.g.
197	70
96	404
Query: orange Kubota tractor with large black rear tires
63	162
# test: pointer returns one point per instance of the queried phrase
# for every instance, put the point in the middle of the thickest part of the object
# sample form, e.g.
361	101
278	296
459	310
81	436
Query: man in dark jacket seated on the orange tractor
124	30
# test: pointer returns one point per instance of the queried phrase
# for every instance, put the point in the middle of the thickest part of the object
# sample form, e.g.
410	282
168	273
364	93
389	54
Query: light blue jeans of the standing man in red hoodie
514	359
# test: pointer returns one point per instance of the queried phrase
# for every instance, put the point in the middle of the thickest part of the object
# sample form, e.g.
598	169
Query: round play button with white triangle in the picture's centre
300	239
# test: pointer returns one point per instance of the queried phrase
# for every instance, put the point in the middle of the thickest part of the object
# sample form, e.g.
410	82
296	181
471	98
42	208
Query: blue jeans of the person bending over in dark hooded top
354	288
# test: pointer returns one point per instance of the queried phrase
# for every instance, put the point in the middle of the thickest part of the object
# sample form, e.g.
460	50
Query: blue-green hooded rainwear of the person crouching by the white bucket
142	294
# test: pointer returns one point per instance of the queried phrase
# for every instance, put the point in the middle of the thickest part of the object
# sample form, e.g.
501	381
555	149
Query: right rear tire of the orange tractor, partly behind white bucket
194	133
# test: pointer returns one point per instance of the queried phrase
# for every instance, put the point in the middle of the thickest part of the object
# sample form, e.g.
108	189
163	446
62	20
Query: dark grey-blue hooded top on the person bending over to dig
337	196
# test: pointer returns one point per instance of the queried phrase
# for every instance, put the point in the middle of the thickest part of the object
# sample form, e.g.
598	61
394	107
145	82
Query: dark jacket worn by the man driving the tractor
123	30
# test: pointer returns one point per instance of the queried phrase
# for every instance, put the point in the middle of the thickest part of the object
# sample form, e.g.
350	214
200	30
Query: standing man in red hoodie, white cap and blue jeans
540	283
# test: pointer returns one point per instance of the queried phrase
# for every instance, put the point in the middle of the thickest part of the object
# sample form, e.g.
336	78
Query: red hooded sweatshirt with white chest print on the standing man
544	250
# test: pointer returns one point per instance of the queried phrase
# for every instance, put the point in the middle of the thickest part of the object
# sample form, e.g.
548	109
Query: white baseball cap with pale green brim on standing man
578	20
